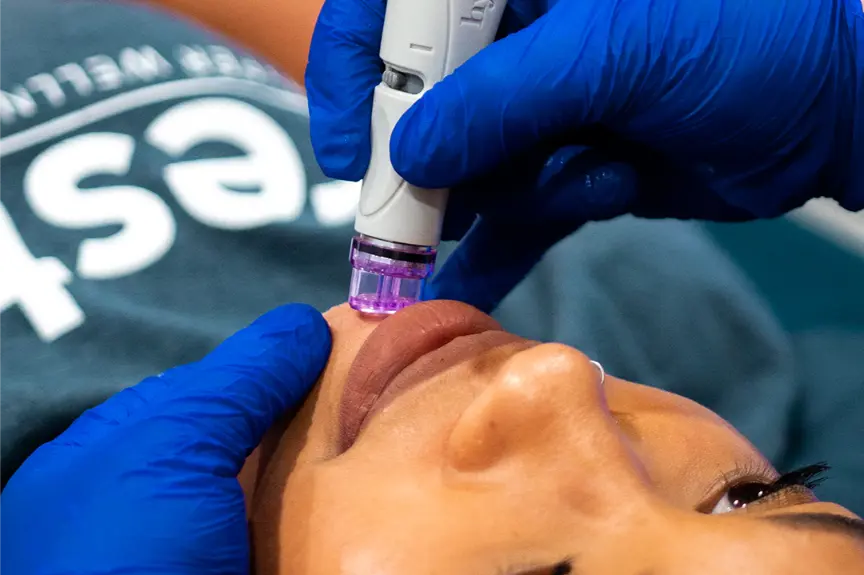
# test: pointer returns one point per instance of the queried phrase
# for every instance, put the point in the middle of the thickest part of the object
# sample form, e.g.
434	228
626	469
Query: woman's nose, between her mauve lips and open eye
545	414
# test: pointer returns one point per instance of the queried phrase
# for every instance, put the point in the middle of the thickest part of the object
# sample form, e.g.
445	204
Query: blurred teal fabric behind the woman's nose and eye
761	322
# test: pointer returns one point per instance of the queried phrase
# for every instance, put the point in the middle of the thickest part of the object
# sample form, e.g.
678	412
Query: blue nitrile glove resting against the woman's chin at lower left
146	483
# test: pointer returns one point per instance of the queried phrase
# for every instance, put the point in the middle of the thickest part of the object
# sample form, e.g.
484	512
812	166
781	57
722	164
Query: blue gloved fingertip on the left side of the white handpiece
341	75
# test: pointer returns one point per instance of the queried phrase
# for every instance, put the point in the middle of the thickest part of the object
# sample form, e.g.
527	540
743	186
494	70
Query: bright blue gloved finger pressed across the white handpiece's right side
484	114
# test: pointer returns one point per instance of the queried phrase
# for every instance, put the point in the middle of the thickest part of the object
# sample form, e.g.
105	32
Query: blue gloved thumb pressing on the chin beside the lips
223	404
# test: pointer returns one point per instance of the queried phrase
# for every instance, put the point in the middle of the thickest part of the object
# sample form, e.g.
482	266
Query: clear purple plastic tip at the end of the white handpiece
387	276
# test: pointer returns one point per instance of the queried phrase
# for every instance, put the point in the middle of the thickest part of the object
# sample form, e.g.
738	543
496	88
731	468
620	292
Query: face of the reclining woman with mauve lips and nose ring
438	444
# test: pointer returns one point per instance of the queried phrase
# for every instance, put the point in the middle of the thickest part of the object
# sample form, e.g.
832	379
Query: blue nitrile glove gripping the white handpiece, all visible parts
590	109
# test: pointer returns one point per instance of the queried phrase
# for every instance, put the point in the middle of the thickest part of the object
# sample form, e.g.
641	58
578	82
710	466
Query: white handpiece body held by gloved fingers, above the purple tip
423	41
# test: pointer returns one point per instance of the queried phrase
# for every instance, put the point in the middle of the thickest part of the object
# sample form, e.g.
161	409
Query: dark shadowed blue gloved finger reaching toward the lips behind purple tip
499	251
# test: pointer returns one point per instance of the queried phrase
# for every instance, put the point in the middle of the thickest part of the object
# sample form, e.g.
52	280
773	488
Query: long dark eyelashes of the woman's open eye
808	477
